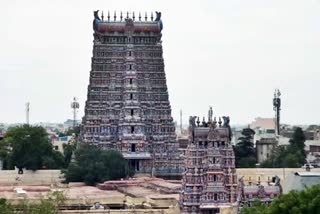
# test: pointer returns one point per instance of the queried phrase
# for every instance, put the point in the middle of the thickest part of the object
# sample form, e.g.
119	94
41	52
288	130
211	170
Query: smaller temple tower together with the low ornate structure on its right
209	182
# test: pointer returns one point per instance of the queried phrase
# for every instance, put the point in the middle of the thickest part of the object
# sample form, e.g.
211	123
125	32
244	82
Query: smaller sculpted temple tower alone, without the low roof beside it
209	181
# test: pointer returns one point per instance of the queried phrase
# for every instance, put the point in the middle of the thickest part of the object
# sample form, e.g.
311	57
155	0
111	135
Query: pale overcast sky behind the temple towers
229	54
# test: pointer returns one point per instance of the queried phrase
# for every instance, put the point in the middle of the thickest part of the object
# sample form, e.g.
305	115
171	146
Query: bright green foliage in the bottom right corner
295	202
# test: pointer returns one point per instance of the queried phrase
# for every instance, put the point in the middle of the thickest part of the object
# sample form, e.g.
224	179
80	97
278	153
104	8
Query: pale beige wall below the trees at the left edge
29	177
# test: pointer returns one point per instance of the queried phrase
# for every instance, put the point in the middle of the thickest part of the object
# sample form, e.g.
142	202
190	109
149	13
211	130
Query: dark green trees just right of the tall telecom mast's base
291	156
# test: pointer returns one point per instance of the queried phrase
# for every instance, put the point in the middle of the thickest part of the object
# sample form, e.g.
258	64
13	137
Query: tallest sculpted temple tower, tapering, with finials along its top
128	107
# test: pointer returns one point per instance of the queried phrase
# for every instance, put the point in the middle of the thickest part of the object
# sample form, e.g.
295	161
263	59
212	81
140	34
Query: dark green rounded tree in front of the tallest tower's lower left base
93	165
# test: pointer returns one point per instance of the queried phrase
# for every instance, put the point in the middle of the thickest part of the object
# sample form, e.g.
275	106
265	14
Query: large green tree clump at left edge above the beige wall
29	147
